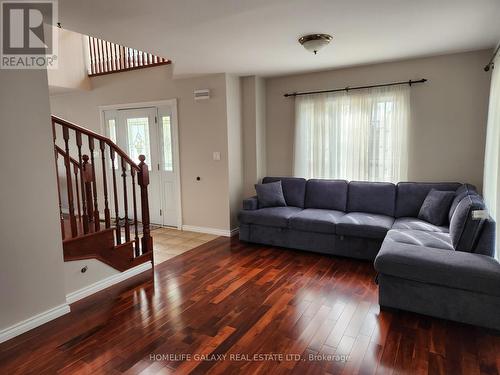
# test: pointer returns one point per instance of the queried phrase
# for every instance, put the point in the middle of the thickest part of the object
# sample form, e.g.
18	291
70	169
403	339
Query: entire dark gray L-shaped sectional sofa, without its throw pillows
444	271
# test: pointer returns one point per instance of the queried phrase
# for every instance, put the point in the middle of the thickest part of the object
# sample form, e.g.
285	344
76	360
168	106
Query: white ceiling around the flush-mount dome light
259	37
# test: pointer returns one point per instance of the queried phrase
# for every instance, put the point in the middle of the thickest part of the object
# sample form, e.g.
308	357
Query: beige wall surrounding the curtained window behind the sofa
448	129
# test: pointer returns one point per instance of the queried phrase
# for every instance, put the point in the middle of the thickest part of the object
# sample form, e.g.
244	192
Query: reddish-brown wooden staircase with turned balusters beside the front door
101	191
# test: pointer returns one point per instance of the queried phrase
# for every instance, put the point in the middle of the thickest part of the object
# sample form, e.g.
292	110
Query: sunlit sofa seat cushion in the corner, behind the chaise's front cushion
420	238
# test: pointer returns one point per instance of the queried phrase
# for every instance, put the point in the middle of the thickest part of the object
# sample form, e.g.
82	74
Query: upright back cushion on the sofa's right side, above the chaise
464	230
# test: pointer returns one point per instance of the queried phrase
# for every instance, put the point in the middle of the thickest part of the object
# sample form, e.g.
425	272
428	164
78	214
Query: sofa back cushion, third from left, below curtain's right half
371	197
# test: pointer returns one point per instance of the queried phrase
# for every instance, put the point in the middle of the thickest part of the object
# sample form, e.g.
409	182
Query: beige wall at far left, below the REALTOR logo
31	270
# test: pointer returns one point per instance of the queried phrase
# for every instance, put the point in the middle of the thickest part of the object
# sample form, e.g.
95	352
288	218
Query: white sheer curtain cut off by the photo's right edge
491	188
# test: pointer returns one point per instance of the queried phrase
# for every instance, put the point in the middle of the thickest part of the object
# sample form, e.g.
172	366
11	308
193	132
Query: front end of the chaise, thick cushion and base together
450	284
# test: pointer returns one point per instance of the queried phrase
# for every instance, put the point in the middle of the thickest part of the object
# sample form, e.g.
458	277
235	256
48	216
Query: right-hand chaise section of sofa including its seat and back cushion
450	275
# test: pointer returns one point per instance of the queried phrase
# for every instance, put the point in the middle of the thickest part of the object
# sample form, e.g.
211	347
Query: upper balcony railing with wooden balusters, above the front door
107	57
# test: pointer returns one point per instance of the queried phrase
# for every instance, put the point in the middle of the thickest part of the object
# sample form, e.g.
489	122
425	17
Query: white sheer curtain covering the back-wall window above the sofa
356	135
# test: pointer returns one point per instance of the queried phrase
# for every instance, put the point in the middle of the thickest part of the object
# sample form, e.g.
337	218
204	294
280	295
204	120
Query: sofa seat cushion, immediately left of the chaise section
361	224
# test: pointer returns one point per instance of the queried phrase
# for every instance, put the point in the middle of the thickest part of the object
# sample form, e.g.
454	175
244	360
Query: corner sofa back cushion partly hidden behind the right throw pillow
411	195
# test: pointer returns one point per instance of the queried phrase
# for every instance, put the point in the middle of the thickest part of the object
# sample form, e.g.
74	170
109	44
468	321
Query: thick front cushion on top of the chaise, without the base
449	268
